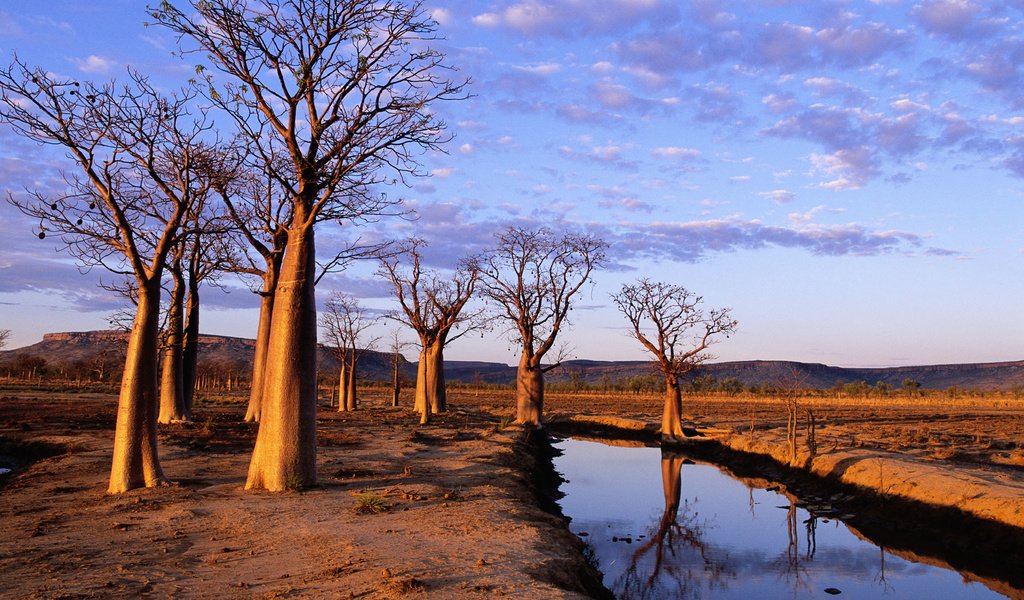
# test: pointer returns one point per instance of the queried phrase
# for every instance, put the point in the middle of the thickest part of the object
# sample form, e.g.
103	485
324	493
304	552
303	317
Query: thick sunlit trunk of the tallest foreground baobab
285	456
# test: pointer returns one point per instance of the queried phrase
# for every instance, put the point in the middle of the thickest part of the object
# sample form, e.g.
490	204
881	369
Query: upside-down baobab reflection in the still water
676	561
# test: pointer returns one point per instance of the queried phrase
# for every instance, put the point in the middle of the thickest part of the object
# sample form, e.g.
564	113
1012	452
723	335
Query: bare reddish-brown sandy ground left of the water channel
461	519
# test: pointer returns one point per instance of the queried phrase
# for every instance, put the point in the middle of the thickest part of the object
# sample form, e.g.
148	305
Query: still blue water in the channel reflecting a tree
661	527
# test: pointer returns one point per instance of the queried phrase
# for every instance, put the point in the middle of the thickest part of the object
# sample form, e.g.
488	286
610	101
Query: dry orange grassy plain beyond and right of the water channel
968	433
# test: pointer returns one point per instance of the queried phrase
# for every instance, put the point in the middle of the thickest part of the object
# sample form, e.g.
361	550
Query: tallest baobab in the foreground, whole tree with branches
344	92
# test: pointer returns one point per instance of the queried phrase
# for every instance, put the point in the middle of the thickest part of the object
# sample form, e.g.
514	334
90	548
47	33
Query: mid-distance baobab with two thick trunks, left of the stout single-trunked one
433	306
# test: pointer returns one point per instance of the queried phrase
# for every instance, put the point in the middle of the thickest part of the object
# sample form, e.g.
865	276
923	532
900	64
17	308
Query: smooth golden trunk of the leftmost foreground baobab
136	461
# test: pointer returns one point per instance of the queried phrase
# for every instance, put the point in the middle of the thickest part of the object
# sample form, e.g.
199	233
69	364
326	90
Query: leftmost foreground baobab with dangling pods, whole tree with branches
123	209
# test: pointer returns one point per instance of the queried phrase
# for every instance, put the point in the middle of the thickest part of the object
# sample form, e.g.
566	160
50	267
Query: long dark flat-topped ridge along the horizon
105	350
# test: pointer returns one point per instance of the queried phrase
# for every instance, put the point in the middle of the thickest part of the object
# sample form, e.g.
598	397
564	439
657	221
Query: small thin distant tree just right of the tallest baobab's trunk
346	324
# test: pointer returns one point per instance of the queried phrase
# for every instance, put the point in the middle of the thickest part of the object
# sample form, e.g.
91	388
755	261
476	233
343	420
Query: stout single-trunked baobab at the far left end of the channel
532	280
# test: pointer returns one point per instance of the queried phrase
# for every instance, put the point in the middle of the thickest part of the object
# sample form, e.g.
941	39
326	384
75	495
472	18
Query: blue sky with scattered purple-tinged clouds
845	177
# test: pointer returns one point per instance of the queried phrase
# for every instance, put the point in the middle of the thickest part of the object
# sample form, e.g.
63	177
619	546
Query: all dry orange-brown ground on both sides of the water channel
462	519
